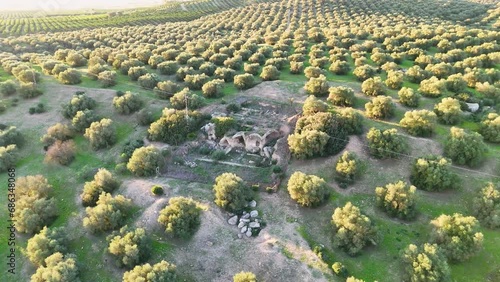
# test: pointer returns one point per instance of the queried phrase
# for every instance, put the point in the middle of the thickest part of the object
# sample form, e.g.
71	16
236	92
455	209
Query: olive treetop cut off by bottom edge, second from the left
160	272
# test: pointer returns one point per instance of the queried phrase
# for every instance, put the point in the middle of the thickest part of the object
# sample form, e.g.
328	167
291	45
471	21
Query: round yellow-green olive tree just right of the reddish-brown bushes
101	134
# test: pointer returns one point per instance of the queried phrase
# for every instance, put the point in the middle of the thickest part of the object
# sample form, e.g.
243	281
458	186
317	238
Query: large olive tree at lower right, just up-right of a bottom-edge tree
457	235
